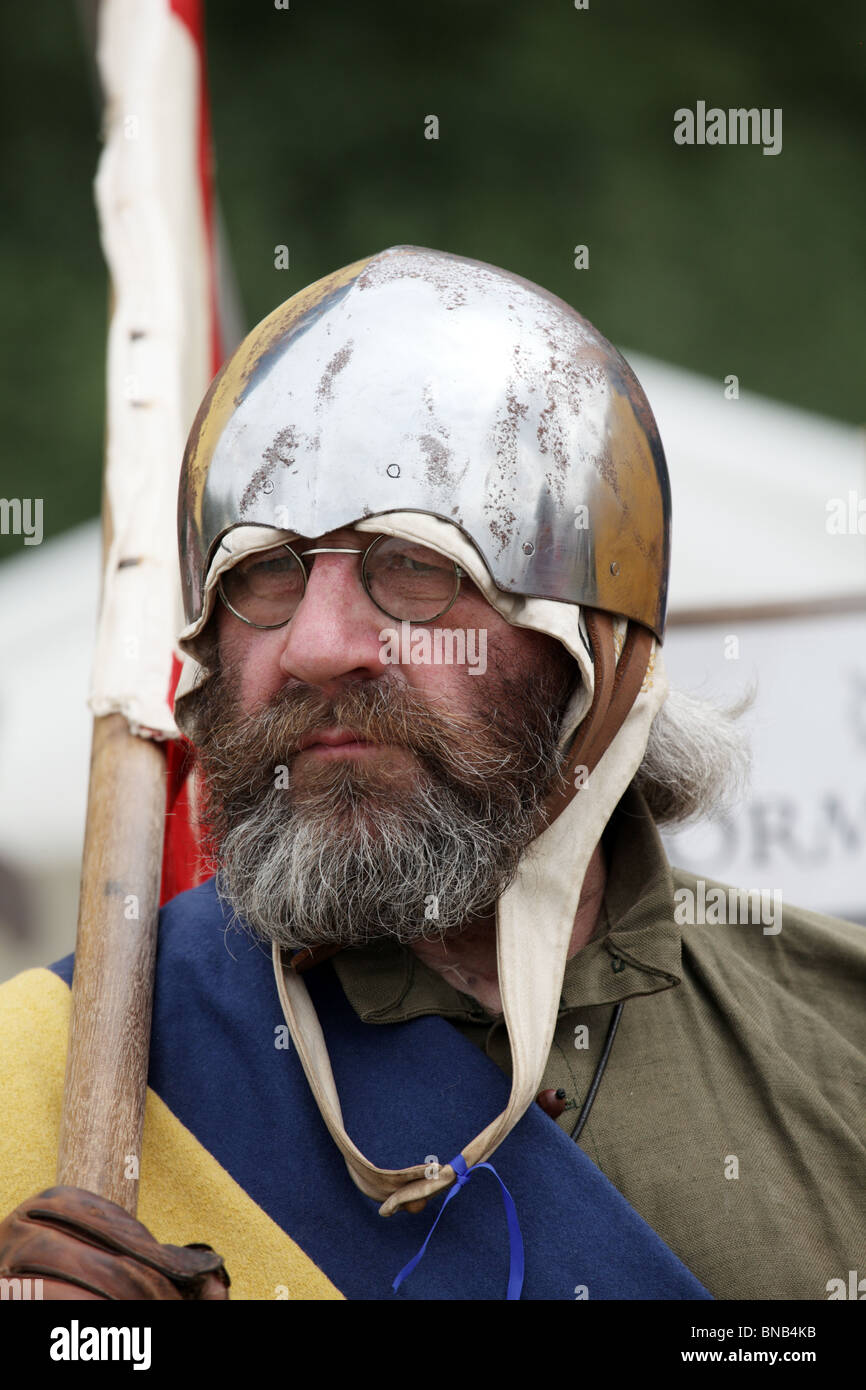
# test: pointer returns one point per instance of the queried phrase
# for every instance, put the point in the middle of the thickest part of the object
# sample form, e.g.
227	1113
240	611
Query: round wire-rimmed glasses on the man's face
408	583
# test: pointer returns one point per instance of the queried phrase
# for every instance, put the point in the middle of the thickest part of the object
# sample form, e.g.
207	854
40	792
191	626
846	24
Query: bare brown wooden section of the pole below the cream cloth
104	1111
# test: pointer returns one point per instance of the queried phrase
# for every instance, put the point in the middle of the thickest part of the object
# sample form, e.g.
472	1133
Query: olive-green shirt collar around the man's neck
636	949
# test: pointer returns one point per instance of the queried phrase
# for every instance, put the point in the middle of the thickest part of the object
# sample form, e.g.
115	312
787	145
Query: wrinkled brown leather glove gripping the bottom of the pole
83	1246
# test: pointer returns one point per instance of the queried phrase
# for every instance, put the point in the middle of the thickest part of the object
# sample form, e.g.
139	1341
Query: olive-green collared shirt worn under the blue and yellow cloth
732	1110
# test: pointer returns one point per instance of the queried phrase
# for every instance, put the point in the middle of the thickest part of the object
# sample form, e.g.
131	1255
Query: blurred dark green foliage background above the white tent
557	129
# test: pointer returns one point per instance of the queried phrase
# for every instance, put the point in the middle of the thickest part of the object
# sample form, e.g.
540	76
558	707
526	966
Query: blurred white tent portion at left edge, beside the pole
49	598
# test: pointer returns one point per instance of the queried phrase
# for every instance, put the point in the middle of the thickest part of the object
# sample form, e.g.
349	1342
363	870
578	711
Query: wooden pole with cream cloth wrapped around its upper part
140	49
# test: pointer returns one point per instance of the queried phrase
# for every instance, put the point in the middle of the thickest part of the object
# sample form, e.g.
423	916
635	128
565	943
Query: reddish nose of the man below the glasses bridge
333	637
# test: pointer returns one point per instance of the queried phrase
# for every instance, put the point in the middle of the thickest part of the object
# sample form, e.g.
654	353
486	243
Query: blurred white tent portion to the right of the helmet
769	587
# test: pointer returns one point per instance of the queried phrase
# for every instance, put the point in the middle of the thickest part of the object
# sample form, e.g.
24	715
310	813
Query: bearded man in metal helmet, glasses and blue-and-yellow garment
425	546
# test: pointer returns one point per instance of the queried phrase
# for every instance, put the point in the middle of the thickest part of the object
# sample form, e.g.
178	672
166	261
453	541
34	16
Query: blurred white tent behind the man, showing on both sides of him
761	590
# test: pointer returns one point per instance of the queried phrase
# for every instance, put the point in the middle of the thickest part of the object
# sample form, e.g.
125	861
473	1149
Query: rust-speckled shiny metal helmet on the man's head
420	382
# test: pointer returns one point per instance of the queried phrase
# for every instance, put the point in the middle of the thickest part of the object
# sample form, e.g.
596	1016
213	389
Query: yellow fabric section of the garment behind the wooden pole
186	1195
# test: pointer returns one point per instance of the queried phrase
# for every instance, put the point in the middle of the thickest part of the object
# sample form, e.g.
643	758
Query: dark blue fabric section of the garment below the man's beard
408	1090
